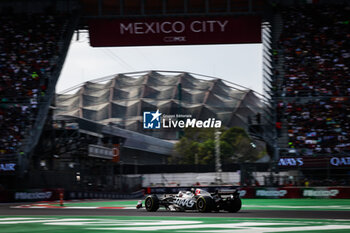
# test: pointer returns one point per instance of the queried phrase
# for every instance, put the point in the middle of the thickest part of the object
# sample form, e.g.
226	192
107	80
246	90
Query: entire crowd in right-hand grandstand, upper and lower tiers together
315	90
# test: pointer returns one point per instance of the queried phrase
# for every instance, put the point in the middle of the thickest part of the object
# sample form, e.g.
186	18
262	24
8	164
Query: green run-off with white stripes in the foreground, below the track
103	224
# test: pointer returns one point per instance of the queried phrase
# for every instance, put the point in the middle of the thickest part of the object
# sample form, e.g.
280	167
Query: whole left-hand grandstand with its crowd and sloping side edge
33	44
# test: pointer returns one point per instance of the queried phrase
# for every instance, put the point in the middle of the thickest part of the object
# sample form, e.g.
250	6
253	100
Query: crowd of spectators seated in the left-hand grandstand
28	49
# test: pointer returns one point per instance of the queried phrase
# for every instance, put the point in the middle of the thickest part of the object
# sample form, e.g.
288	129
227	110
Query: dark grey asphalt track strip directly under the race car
5	210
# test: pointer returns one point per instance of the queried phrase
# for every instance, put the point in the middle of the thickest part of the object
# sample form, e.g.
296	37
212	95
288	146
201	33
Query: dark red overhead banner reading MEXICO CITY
175	31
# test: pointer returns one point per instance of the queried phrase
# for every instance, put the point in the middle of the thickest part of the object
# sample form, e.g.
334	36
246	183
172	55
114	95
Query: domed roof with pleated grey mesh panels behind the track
121	99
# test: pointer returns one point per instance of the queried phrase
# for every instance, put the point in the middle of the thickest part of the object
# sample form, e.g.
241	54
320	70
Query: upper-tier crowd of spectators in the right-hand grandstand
315	42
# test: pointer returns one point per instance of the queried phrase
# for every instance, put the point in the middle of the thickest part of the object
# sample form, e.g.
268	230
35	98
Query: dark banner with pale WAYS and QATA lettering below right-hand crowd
314	162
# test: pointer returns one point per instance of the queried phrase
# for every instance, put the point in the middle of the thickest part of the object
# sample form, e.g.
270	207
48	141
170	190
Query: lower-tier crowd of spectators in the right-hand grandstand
318	126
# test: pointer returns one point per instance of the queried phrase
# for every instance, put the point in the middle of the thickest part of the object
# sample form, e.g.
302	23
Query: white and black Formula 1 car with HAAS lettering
198	199
